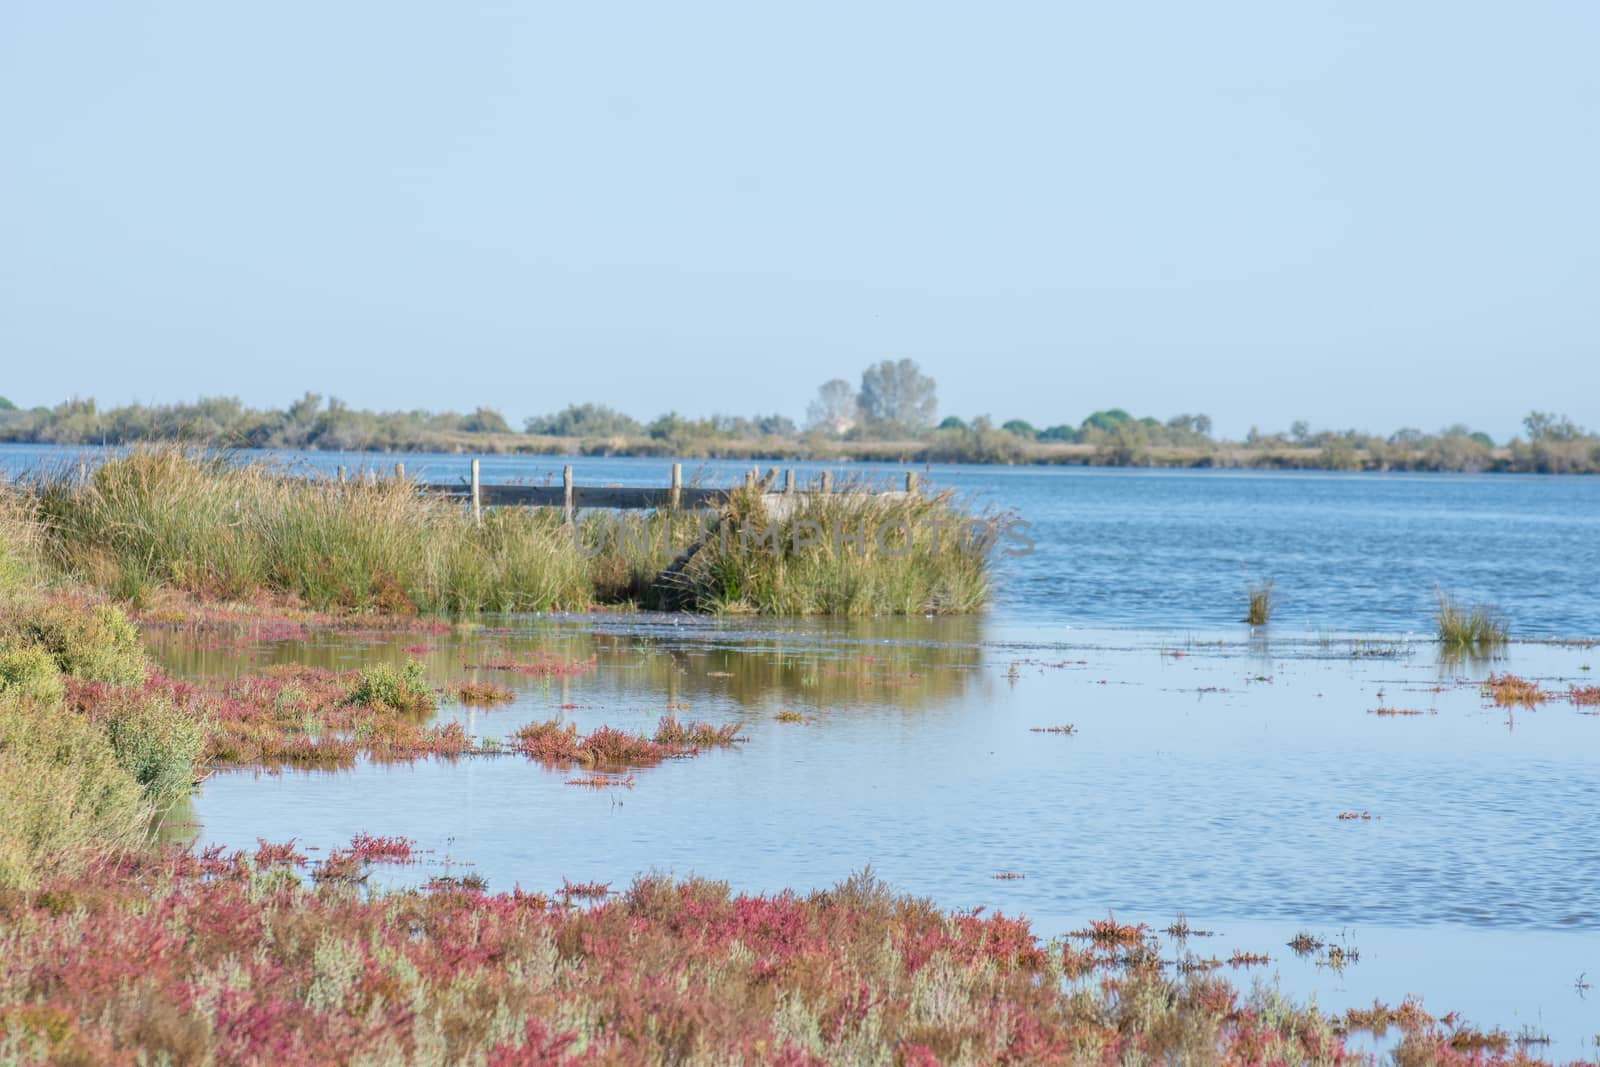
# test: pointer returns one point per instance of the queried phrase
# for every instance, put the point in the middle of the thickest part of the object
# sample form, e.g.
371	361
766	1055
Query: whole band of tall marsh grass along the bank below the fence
226	532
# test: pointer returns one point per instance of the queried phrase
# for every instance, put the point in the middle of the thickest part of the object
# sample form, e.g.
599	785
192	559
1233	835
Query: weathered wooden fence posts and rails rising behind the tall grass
570	498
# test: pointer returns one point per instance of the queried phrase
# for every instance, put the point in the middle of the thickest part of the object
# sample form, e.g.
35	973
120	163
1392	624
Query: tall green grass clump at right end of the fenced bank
844	554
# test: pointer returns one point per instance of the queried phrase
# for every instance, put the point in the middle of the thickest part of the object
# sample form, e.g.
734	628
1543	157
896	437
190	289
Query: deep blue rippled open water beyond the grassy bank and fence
1161	549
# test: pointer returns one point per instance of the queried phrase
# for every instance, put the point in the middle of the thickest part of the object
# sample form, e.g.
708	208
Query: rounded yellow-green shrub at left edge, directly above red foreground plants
63	793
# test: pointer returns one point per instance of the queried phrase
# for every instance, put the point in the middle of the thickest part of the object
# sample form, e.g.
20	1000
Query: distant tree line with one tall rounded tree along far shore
889	415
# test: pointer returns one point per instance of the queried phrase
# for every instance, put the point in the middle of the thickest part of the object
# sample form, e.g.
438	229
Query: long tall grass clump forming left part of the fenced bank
166	518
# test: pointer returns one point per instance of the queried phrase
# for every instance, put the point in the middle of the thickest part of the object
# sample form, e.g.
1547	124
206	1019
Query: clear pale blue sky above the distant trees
1362	215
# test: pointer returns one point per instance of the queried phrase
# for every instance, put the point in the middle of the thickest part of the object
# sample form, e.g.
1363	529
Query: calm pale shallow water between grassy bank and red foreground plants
1204	777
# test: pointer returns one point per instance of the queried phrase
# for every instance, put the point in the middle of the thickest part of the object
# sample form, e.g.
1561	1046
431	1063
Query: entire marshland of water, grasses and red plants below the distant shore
233	685
